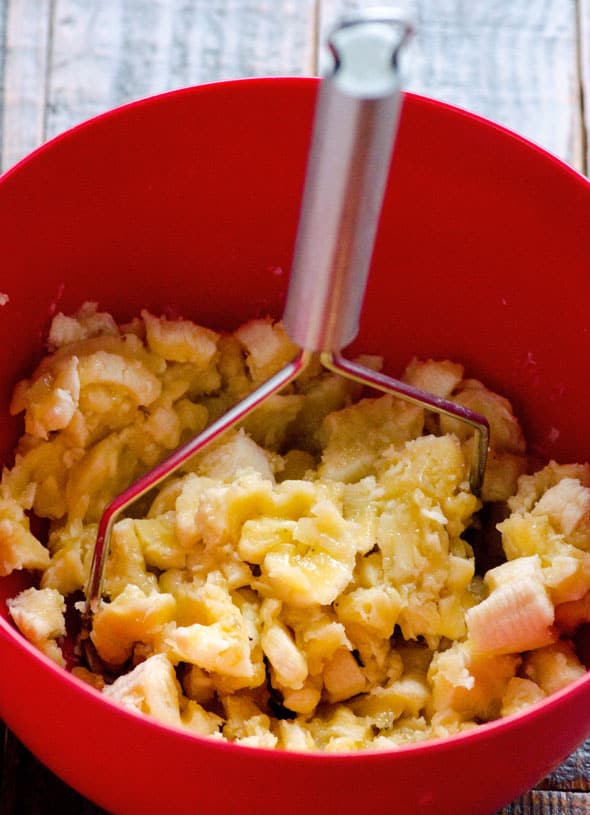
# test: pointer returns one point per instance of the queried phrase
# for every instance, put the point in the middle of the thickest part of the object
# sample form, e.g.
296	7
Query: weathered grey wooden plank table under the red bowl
523	63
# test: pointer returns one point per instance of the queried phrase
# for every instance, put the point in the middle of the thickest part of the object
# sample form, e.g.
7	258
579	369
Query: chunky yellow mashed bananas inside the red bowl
308	581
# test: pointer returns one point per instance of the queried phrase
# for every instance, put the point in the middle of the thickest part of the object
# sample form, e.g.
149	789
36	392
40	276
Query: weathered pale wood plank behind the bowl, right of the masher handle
514	62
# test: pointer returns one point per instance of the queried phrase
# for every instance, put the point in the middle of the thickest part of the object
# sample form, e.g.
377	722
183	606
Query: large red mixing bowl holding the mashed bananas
188	203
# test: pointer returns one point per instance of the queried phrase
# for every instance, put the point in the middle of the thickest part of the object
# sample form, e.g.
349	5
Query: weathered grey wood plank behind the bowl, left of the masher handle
107	52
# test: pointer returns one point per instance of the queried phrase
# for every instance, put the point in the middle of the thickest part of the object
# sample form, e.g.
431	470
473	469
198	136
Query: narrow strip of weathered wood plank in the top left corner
26	25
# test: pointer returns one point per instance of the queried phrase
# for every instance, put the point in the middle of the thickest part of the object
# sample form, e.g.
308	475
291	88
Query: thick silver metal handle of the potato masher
354	129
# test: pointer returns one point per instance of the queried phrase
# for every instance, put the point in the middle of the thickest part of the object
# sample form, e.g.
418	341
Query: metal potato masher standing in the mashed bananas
354	129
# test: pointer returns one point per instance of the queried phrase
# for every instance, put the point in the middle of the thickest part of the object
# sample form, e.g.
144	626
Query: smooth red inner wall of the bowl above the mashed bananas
187	204
